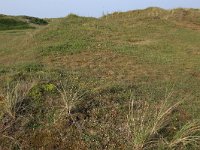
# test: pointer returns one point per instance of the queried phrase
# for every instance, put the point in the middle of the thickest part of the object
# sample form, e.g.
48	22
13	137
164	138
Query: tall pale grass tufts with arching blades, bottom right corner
148	123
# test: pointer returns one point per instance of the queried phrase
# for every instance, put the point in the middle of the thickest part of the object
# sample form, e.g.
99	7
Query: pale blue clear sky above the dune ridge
94	8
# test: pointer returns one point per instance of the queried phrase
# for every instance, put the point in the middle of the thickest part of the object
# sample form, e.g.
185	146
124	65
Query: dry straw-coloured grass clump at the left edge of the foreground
12	104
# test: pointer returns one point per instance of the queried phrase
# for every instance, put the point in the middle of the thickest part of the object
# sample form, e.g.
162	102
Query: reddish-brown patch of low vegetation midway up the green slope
102	64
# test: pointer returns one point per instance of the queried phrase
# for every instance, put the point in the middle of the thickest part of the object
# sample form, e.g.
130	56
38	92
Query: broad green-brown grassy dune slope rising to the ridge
145	53
